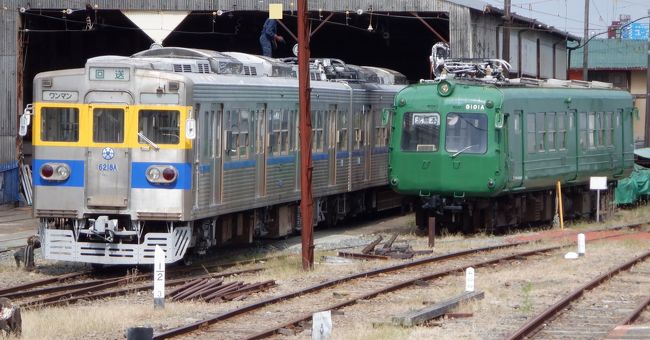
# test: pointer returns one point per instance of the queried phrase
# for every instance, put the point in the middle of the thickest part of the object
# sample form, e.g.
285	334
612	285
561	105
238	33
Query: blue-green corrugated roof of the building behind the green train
613	54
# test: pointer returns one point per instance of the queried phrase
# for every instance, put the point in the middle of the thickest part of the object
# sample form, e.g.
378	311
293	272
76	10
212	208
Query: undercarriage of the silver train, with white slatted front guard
118	239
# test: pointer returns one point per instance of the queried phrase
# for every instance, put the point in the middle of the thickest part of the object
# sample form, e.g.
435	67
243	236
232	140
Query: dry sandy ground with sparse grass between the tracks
512	294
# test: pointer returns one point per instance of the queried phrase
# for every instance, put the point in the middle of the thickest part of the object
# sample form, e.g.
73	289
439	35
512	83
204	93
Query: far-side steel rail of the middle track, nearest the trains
272	300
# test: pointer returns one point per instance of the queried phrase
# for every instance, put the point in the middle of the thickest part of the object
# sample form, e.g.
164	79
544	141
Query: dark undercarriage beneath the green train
502	213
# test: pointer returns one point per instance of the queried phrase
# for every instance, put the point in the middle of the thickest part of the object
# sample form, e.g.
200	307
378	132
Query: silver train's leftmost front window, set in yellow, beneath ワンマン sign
59	124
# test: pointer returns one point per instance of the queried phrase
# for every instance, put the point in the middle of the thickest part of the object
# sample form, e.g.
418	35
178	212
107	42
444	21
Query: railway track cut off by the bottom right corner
592	311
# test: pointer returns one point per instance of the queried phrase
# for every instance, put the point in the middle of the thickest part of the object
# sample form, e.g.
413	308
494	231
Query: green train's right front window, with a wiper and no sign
466	133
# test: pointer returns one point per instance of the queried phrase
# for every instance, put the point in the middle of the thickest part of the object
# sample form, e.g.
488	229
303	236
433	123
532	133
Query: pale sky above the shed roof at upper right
568	15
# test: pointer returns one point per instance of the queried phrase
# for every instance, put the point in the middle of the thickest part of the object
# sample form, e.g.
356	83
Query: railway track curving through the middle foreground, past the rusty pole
304	303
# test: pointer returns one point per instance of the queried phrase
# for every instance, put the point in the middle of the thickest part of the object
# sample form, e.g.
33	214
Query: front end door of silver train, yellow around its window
108	158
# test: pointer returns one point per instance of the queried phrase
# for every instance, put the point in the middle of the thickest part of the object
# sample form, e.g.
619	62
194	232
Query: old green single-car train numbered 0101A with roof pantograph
483	155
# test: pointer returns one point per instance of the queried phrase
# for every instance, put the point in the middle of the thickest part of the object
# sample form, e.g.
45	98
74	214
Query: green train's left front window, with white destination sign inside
421	131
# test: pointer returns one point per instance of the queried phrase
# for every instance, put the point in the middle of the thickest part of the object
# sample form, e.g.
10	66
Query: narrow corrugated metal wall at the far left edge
8	165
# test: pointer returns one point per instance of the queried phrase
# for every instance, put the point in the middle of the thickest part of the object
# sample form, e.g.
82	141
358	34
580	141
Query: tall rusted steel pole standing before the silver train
306	202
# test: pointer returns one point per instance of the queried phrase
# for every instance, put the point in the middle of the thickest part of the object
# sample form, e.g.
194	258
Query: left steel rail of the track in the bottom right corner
531	326
